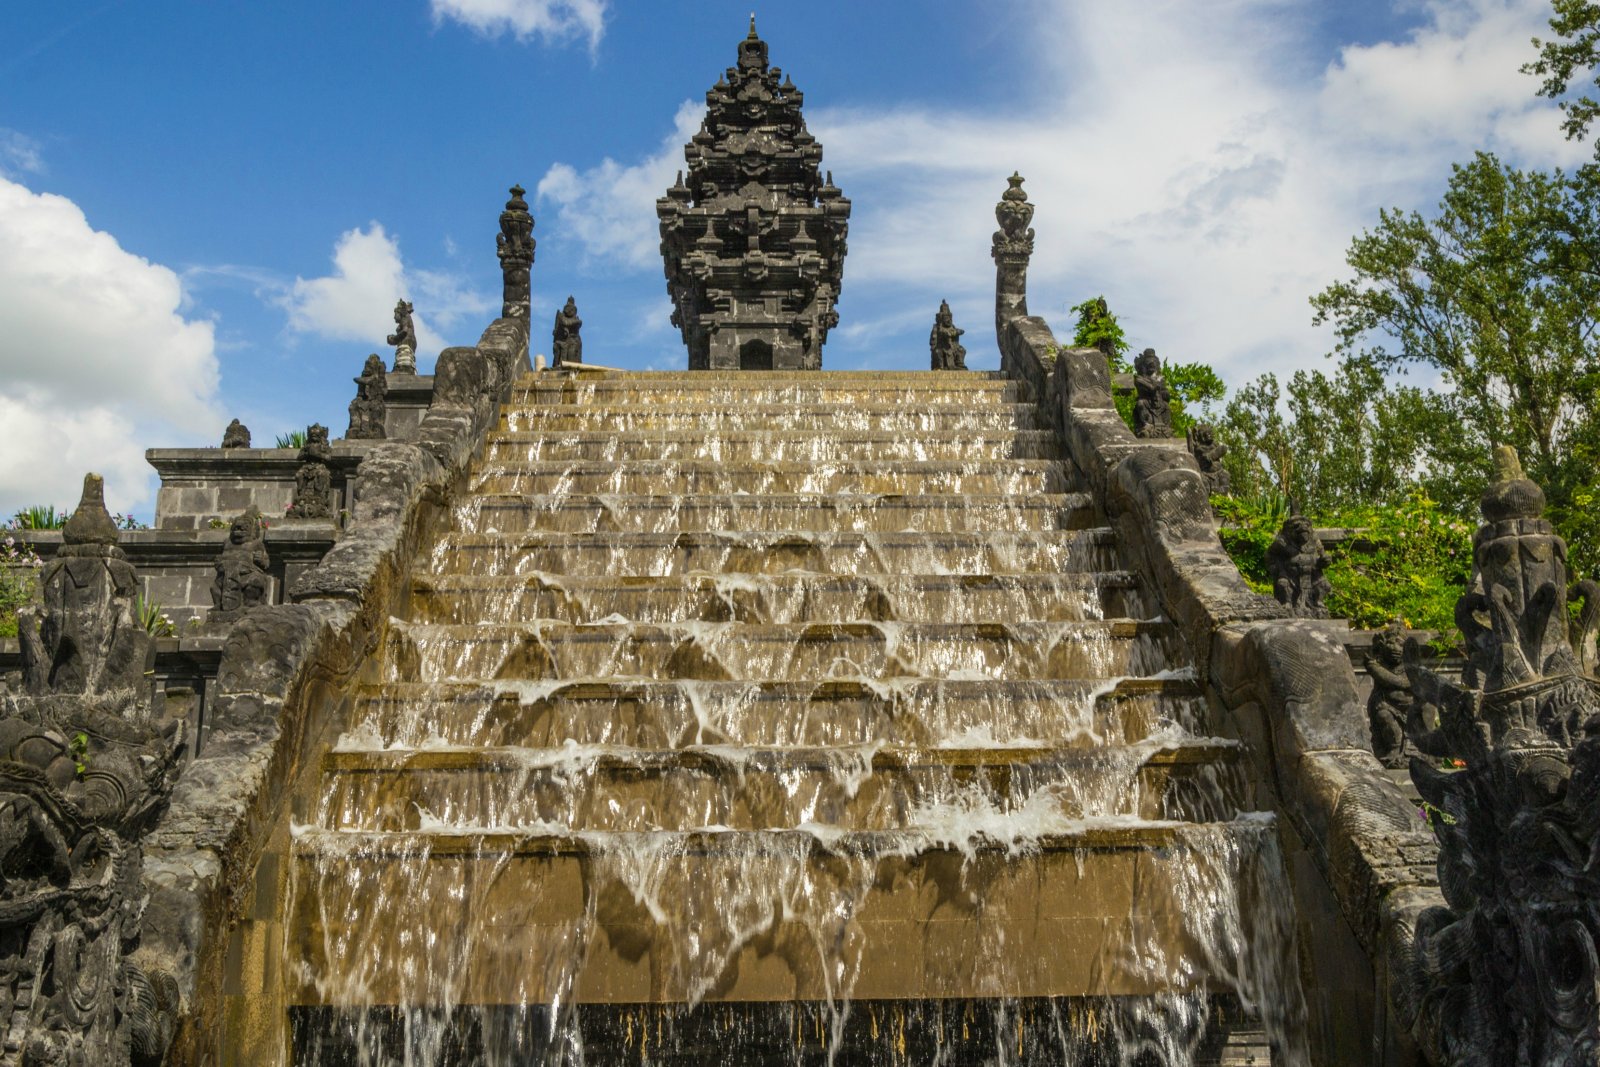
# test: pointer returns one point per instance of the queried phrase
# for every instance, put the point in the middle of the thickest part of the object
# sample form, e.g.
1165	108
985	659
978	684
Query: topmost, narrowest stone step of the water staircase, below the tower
833	391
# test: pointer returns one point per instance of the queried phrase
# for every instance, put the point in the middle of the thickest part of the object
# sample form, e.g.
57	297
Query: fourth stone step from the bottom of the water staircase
732	652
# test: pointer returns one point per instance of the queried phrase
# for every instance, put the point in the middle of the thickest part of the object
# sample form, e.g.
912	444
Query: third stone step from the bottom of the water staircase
654	714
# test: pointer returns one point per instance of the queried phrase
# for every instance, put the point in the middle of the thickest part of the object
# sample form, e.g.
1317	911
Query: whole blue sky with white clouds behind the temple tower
207	210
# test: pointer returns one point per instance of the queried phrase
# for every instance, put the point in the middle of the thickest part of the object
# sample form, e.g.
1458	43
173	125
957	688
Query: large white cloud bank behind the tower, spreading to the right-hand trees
1196	164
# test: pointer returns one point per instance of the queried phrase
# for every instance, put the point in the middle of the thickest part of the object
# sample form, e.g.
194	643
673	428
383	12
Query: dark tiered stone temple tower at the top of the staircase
754	238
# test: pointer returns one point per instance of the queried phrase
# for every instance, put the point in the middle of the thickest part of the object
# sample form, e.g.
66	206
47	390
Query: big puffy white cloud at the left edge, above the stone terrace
97	359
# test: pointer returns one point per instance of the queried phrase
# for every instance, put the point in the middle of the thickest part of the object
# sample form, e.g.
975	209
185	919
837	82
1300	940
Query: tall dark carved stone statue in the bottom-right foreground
1506	972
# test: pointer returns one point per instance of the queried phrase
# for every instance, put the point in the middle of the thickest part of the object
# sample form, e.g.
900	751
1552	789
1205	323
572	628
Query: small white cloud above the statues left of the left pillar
356	303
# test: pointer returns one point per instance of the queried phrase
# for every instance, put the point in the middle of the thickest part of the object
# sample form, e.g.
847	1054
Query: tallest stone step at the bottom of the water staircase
1023	905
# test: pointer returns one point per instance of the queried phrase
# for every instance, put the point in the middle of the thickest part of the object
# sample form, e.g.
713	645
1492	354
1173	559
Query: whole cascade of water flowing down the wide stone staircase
782	719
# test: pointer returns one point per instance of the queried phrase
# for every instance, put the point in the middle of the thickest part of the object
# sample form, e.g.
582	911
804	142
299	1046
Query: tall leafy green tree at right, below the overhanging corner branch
1498	297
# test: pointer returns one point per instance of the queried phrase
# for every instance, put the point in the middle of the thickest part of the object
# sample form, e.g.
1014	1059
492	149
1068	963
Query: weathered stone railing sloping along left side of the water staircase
284	682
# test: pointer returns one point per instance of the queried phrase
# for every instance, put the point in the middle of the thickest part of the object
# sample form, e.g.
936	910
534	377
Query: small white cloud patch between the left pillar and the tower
612	209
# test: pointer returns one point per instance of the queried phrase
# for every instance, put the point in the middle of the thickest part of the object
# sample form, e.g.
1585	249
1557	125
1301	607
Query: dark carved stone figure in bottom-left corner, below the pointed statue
81	783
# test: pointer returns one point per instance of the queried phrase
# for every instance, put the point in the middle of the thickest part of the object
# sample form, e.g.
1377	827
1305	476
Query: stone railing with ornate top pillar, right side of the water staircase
1361	861
